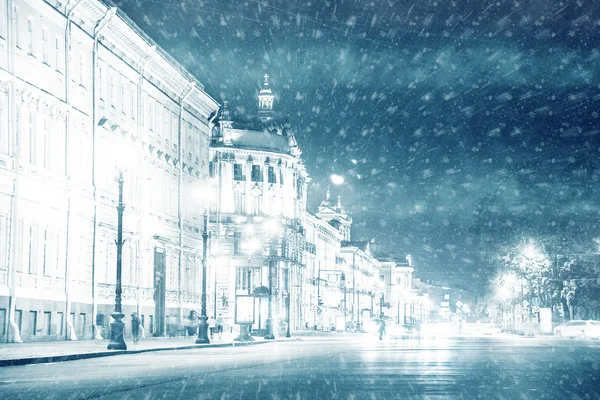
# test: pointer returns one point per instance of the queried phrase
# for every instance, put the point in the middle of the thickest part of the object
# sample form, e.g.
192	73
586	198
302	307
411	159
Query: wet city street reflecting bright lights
336	366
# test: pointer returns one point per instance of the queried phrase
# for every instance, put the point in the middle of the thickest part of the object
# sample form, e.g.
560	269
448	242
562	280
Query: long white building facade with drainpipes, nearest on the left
82	91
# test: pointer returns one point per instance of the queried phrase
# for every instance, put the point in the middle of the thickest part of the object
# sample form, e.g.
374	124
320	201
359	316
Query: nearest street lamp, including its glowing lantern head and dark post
117	327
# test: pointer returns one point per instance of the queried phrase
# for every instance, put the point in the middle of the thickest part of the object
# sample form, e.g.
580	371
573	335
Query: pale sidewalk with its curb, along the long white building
56	351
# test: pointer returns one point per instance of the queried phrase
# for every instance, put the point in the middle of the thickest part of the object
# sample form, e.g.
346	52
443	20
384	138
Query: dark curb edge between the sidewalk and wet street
83	356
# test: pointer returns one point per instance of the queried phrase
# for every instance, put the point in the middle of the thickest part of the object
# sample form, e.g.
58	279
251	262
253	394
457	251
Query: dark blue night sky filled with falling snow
460	126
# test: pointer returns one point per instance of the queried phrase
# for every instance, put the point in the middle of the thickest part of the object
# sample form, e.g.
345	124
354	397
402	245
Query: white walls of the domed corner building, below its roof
241	210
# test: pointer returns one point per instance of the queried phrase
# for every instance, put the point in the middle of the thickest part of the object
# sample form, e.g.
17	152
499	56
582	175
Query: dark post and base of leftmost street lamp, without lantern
117	327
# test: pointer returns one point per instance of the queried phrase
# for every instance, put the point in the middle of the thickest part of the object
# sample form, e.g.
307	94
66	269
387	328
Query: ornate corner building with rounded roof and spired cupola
256	216
